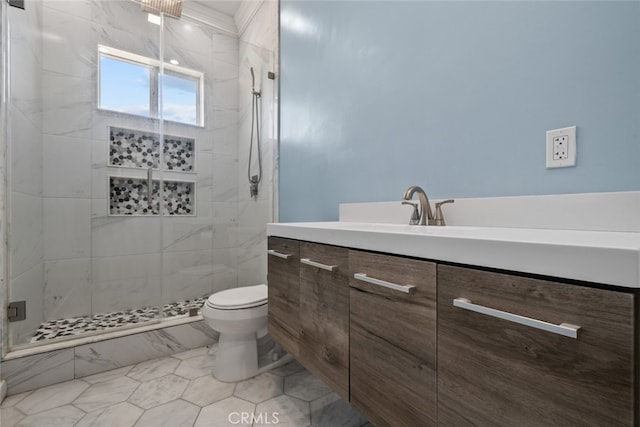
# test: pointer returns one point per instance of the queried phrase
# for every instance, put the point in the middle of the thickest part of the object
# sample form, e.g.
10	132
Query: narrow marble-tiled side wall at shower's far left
26	269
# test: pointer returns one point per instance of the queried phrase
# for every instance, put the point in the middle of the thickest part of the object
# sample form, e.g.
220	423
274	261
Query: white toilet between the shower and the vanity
239	314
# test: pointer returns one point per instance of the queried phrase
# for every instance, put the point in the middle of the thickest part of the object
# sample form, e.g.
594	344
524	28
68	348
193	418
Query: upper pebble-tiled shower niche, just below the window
141	149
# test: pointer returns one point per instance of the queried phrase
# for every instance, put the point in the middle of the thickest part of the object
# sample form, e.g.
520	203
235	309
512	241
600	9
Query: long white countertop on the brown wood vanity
611	258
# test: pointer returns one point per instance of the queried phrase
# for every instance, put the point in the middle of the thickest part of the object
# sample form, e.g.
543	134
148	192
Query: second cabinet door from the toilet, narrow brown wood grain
324	314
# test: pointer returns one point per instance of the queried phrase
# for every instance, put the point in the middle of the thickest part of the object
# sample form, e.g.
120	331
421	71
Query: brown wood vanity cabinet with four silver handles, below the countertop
383	331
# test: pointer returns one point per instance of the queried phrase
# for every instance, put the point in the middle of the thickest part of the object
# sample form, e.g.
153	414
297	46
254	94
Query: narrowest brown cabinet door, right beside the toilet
284	293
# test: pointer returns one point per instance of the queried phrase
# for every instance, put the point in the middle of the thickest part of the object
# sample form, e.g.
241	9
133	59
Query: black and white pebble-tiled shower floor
105	321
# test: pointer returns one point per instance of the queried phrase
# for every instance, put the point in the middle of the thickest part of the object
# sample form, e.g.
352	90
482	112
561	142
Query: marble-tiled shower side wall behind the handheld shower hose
258	49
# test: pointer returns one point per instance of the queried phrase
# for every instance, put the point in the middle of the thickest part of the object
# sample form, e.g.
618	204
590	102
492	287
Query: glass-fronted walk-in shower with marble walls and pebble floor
127	137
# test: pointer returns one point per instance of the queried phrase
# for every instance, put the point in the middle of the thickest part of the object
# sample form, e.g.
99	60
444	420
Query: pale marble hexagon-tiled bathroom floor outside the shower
179	391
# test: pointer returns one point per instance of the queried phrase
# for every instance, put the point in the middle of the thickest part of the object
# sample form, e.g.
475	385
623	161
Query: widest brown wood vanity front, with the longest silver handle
495	372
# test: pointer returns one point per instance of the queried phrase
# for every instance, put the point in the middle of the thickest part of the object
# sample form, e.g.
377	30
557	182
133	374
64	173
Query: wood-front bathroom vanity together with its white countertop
457	326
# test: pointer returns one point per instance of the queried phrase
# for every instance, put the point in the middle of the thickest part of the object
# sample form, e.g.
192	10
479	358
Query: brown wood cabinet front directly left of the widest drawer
393	339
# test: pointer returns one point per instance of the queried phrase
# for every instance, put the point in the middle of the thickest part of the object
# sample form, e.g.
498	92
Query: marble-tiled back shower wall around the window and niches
94	262
